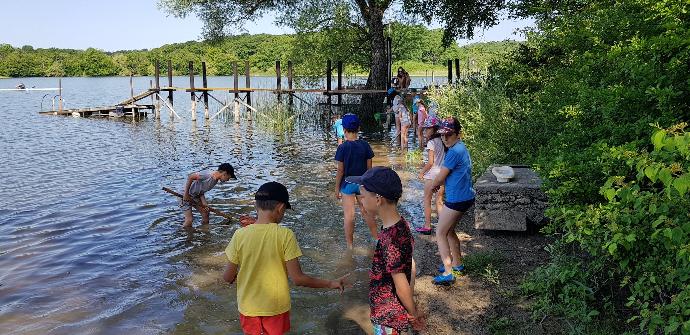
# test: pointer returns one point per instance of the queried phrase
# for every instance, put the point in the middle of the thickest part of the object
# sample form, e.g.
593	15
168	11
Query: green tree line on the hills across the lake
413	46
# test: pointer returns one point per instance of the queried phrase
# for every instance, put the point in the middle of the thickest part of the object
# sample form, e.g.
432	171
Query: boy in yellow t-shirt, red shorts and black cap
261	257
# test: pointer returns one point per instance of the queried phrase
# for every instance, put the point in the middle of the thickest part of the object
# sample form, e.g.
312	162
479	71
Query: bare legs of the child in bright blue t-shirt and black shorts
448	242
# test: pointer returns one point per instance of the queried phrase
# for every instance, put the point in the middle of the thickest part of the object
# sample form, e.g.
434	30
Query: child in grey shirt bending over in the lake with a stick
197	185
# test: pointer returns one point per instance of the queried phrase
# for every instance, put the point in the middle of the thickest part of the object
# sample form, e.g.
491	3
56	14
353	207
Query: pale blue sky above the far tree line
133	24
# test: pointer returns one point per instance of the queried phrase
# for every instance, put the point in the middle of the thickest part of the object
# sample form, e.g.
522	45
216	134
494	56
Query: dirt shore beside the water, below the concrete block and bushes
484	301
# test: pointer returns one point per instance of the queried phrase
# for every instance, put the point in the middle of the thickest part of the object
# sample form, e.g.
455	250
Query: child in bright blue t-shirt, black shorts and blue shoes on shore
456	174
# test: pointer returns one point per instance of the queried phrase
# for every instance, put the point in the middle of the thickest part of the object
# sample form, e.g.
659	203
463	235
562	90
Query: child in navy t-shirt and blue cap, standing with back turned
353	158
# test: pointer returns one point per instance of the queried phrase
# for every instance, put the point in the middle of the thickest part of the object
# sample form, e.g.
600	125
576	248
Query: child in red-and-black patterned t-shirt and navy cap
393	310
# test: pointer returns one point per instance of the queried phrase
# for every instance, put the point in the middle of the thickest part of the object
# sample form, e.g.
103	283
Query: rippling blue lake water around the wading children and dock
90	244
